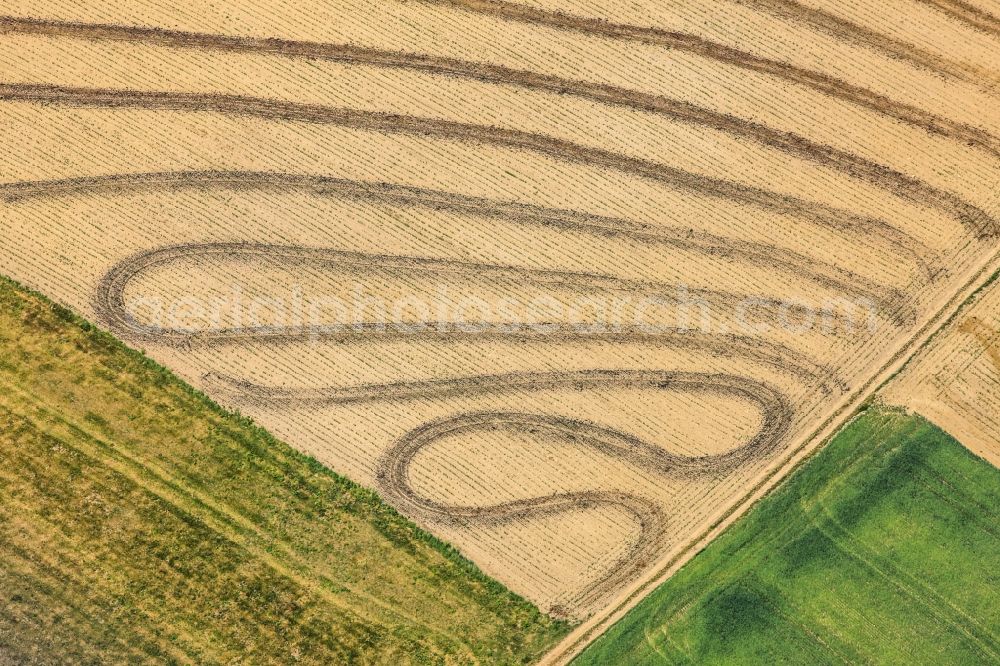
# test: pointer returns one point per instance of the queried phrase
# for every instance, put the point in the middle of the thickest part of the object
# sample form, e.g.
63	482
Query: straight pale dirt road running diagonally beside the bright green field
593	628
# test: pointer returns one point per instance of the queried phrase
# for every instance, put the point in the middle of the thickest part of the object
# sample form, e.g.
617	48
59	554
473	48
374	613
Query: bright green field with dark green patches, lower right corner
884	548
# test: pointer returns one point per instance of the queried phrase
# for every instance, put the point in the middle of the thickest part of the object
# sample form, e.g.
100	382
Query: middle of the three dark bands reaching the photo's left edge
977	220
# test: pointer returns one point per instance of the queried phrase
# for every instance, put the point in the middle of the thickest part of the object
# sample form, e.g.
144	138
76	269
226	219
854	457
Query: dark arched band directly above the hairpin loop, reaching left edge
796	264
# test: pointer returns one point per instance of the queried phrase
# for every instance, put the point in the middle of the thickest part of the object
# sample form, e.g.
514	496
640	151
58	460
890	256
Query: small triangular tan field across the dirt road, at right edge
955	380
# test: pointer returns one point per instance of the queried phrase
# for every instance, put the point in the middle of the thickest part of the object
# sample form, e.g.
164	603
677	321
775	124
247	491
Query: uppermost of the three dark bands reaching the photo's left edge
881	176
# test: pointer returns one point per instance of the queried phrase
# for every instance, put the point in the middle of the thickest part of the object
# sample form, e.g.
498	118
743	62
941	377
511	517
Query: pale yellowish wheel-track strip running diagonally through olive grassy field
233	526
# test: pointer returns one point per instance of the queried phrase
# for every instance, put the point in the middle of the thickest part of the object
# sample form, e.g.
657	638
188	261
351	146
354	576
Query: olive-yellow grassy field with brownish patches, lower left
140	523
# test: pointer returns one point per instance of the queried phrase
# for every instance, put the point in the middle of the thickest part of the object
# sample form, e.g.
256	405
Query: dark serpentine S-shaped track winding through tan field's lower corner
393	472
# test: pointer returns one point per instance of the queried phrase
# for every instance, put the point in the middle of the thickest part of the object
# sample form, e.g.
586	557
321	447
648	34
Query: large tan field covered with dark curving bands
344	220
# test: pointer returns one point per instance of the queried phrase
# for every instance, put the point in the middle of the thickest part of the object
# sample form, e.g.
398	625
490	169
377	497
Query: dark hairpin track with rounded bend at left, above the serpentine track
112	311
